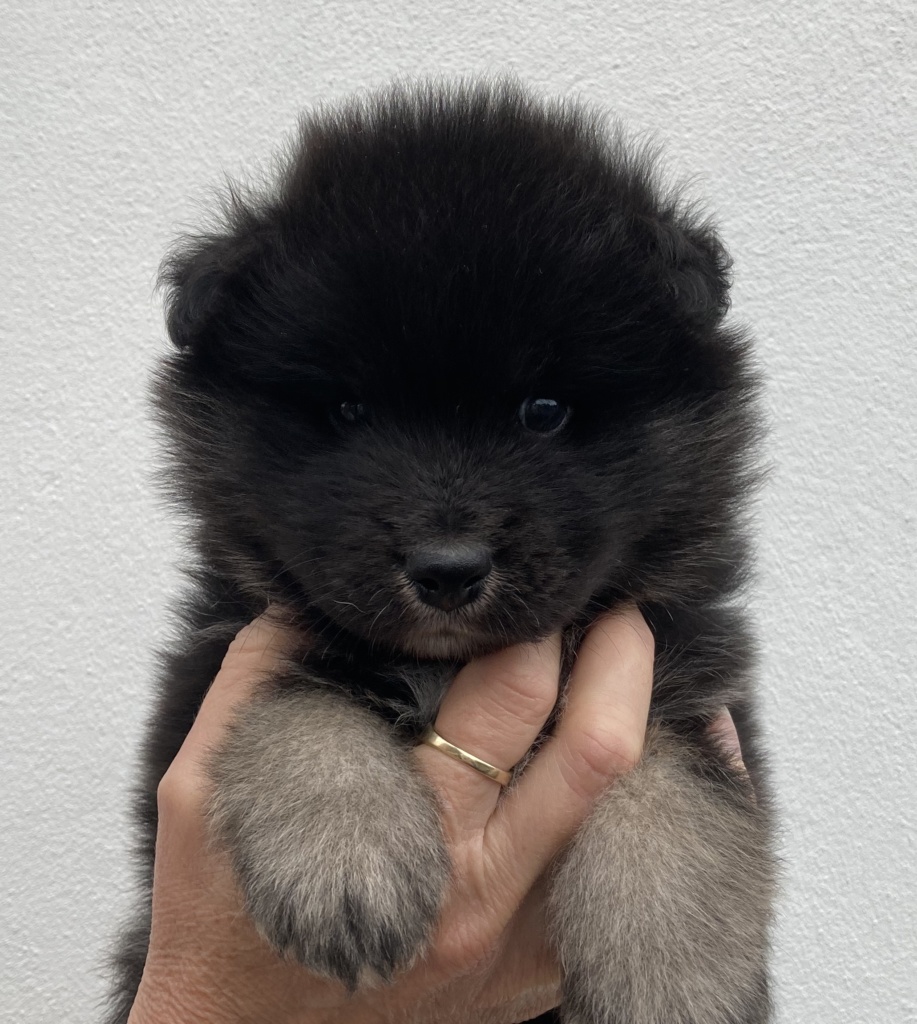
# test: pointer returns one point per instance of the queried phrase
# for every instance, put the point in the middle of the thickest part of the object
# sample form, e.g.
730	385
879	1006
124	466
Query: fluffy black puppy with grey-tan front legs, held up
459	380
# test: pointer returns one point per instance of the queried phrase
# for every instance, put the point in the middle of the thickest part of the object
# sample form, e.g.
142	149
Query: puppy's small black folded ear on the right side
695	269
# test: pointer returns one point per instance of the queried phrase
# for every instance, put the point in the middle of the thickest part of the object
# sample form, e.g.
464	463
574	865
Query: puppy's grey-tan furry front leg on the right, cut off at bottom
662	907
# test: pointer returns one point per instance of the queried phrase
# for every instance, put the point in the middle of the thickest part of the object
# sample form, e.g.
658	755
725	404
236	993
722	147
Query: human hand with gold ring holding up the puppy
490	960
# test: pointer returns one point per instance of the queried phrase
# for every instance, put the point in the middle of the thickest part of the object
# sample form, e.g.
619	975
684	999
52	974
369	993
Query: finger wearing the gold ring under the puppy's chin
495	710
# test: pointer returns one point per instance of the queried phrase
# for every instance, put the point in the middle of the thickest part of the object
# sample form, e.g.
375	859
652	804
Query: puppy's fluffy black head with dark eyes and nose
459	377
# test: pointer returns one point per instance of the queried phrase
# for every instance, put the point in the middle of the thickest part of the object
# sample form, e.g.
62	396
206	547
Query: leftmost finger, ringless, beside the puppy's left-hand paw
256	651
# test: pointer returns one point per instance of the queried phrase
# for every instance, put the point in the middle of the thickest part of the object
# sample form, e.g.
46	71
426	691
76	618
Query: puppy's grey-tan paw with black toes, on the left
335	839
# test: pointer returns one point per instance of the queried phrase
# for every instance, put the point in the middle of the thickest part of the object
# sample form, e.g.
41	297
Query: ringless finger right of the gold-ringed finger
599	738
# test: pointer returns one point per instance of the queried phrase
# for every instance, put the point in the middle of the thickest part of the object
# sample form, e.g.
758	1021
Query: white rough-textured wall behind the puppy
799	118
